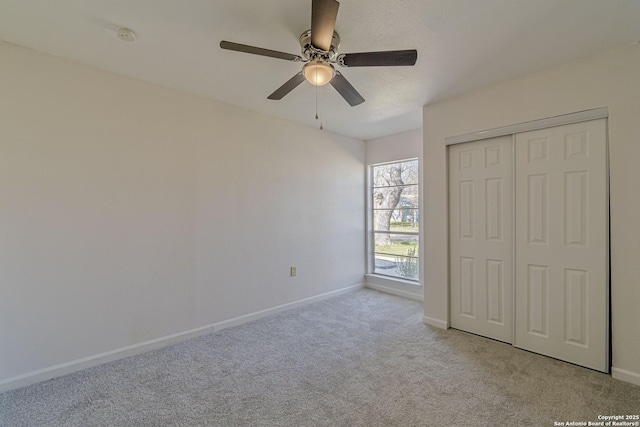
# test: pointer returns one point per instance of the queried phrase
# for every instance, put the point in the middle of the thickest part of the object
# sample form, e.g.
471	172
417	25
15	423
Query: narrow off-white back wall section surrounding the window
400	146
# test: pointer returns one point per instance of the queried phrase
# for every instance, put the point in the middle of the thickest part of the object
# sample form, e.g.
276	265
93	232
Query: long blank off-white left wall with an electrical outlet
130	212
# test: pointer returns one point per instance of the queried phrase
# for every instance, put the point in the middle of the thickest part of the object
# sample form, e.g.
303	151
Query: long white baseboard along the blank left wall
132	350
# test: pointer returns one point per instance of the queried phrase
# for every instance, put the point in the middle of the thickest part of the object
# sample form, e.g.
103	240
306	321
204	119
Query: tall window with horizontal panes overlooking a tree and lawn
395	218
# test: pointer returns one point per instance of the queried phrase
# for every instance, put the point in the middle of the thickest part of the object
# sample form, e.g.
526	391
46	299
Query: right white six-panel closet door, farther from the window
561	266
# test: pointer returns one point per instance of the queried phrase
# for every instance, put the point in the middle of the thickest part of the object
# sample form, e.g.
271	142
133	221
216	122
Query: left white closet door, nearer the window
480	212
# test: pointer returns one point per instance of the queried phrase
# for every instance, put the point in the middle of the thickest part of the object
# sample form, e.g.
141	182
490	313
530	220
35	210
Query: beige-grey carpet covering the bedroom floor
363	359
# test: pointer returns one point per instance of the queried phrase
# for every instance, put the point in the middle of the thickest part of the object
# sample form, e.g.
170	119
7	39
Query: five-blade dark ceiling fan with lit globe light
319	47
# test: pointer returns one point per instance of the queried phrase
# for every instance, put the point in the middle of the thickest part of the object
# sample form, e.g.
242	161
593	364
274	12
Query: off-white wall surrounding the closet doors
611	79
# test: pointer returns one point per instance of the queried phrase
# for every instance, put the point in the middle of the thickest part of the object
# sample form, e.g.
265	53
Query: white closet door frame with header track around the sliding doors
577	117
